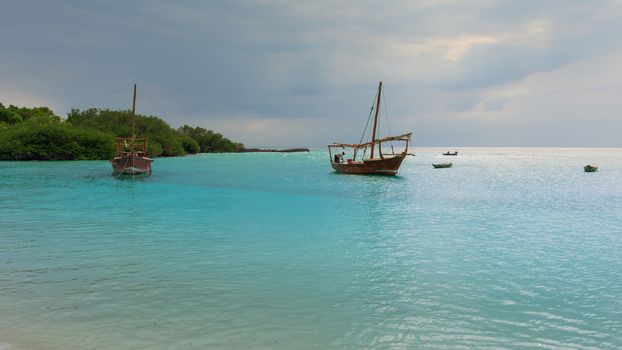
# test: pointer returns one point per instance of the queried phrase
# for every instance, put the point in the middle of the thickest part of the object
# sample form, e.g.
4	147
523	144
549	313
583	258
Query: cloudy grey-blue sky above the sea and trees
489	73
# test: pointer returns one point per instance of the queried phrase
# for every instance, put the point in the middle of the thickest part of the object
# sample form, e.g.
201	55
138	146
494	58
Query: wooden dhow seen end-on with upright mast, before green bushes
131	152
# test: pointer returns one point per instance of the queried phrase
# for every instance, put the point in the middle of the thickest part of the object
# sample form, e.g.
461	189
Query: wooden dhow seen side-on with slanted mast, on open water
383	164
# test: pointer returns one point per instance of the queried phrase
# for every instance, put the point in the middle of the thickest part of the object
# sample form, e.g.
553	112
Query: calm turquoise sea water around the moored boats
510	248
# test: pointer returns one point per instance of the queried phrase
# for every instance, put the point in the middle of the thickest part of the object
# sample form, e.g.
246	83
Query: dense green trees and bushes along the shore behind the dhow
38	134
